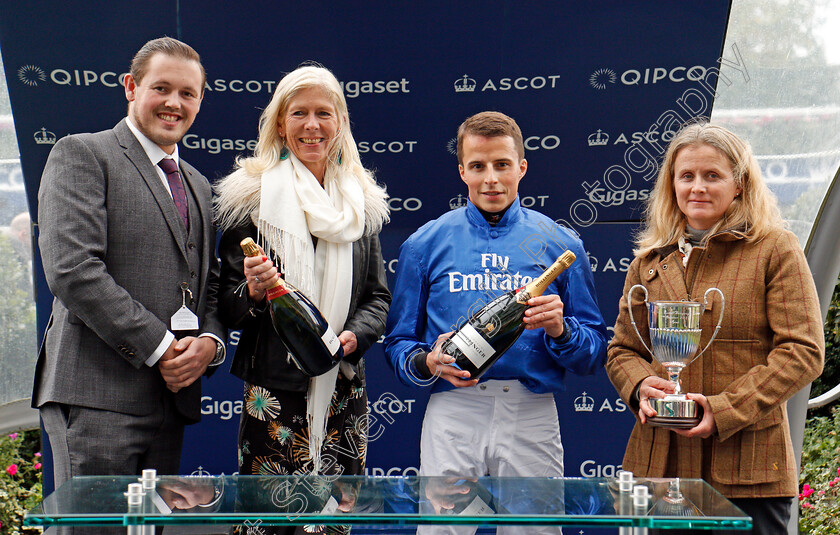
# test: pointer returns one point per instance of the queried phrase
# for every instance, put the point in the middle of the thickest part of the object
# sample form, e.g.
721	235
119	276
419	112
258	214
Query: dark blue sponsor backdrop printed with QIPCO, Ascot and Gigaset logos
597	87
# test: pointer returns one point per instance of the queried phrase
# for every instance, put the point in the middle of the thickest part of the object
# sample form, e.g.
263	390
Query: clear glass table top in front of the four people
325	500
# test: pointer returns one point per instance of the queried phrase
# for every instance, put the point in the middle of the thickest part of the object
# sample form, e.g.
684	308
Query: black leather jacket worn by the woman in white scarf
260	358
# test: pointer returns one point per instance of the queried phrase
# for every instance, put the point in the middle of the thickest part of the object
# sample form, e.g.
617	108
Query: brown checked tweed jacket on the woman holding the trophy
770	346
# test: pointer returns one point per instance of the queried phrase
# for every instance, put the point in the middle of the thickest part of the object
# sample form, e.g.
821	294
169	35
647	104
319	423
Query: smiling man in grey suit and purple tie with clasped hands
128	247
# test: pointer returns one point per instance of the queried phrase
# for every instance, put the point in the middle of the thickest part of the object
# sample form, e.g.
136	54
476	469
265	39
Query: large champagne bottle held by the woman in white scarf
312	344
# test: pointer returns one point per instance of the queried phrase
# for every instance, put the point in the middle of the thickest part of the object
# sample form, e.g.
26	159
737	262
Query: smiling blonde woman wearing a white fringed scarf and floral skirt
305	197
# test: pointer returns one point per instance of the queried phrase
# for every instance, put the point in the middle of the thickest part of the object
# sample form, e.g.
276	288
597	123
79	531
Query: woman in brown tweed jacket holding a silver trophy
712	222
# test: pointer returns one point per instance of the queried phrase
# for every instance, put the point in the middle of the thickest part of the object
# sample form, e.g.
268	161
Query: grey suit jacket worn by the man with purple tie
115	254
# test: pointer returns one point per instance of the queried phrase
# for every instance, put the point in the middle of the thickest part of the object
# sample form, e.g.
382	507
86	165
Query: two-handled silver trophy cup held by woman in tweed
675	336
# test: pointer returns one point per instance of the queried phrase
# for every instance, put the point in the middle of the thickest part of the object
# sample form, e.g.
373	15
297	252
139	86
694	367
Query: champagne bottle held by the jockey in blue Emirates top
485	337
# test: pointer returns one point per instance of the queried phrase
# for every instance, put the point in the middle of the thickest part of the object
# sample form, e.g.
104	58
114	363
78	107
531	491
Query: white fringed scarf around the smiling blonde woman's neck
293	208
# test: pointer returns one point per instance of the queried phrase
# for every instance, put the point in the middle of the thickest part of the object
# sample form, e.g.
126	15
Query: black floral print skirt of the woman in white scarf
274	440
